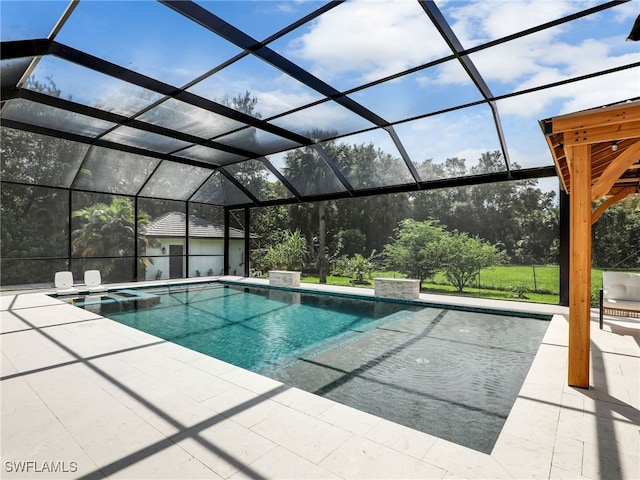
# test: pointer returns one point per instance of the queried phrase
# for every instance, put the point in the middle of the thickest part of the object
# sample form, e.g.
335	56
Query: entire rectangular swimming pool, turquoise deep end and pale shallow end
451	373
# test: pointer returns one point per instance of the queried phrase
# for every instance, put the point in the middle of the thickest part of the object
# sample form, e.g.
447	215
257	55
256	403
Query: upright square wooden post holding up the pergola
580	266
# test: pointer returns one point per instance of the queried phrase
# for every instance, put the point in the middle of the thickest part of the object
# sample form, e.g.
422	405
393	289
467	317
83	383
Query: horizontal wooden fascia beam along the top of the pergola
598	117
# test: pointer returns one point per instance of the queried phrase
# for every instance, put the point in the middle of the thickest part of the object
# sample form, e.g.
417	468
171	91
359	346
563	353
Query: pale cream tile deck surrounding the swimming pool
86	397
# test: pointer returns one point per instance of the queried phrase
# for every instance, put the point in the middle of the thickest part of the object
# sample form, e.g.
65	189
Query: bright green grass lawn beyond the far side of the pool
541	281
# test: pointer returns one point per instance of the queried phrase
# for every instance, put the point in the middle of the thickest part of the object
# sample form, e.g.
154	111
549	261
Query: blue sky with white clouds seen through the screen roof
355	43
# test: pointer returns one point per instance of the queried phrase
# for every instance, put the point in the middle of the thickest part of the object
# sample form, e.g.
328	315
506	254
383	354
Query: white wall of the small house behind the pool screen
206	255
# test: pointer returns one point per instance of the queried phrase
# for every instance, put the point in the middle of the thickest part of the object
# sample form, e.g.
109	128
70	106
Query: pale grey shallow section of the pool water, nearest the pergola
450	373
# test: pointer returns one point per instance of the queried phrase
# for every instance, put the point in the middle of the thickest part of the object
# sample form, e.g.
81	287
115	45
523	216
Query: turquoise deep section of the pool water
253	328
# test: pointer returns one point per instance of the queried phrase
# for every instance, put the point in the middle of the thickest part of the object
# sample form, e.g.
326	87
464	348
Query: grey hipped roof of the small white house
173	224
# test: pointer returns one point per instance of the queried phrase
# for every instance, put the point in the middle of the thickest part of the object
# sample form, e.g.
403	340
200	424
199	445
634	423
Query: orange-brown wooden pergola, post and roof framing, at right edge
597	156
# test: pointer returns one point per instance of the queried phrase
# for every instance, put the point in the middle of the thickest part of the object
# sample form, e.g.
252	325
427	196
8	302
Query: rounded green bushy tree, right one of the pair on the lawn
462	257
